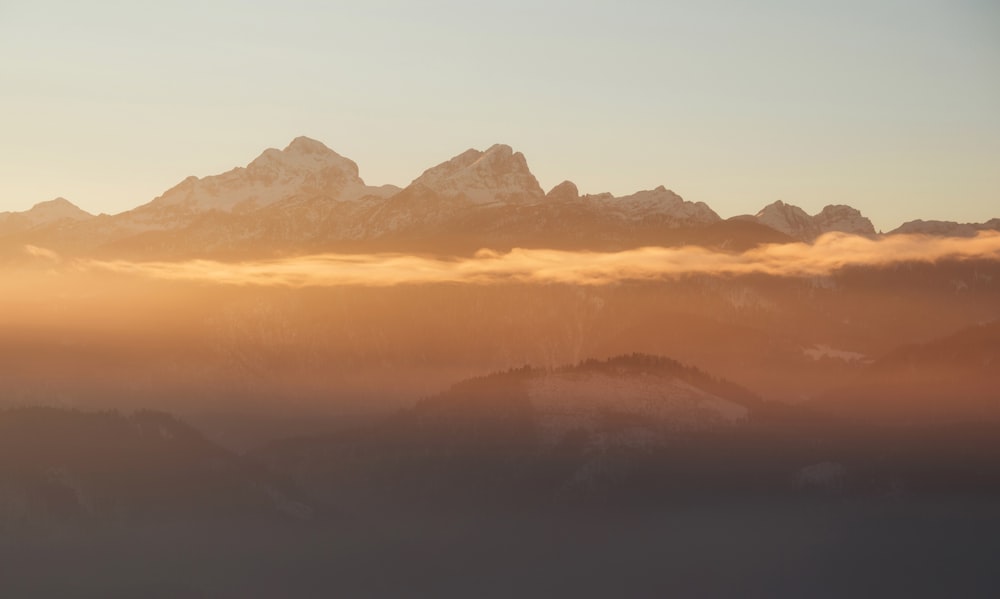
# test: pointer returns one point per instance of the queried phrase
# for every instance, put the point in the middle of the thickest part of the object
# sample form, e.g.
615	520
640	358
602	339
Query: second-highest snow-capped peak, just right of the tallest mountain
497	175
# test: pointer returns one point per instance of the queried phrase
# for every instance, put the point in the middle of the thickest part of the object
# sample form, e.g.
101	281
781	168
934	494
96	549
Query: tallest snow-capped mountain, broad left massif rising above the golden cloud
285	191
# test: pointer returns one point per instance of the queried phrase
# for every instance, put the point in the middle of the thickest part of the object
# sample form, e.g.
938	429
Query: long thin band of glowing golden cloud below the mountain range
828	254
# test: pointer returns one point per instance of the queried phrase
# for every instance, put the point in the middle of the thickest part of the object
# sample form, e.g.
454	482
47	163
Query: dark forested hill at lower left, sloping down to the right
62	466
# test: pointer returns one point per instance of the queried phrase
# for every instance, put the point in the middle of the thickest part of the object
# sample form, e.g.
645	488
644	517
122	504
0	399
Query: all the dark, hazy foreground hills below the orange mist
635	477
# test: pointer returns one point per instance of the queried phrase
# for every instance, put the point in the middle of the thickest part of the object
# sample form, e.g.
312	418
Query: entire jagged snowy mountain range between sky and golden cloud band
307	197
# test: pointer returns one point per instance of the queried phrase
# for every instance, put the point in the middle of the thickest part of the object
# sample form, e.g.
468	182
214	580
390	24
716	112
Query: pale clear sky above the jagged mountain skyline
890	106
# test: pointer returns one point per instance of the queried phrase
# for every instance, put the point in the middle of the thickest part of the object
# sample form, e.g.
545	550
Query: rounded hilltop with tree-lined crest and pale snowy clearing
627	401
